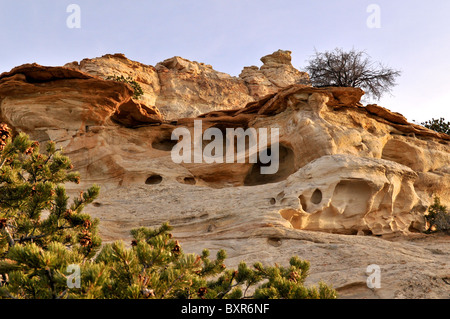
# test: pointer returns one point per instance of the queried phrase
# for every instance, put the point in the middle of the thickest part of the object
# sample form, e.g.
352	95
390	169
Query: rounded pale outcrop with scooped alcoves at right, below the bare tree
351	195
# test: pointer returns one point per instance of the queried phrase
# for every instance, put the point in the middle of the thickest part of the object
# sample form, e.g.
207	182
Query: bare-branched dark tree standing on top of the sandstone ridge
351	69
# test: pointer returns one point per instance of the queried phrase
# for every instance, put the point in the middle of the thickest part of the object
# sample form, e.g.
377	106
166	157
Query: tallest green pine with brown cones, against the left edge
37	224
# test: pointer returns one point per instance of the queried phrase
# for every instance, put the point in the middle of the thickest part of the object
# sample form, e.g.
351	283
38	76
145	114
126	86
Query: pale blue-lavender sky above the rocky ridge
413	36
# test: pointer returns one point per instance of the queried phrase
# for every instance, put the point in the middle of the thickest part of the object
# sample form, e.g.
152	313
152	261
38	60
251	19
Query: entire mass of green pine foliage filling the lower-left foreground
41	236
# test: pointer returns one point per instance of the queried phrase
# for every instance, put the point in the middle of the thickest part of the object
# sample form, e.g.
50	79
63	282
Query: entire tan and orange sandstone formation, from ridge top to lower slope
344	168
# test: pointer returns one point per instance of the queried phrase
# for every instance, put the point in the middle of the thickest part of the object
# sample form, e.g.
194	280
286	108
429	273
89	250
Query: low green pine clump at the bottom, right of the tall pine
156	267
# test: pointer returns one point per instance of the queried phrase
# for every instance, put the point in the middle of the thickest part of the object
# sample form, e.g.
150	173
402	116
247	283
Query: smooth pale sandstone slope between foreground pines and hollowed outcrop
245	222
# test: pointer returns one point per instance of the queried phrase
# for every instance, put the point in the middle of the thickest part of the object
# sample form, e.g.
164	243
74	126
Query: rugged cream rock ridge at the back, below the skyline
179	88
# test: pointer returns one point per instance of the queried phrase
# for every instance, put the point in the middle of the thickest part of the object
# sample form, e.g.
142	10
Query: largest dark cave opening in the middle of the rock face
286	167
